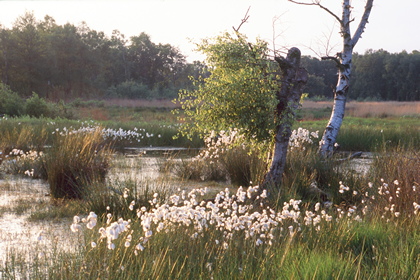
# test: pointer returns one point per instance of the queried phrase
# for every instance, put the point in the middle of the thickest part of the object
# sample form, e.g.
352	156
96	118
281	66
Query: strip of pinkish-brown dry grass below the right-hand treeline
371	109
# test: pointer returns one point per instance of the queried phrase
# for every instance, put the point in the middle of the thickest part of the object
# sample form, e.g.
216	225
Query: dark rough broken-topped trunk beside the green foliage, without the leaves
294	79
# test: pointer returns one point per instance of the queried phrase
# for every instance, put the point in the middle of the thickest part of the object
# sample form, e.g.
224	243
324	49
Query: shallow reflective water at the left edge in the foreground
17	234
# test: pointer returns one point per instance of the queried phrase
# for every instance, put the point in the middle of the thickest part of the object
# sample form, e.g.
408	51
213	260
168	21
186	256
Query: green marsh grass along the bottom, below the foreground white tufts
343	248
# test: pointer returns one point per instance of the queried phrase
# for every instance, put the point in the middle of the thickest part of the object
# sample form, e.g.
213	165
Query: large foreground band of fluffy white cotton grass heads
228	214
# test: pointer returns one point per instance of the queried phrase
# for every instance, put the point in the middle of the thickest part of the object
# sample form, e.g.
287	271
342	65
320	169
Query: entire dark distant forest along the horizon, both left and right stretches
64	62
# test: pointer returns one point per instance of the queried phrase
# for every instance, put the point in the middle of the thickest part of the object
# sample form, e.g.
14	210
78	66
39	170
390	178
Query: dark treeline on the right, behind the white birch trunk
376	75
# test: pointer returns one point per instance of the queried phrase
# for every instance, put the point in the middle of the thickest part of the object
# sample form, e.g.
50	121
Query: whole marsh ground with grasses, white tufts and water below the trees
186	216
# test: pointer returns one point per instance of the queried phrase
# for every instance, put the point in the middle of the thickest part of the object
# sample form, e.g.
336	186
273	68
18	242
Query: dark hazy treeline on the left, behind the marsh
66	62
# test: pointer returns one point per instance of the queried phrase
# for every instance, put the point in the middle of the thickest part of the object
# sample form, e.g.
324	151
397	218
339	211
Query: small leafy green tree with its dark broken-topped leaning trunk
249	91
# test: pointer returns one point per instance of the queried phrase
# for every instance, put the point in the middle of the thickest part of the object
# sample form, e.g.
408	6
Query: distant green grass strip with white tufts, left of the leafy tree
30	133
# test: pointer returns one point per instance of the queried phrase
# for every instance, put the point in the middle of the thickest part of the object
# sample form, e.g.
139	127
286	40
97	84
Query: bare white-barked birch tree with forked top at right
343	60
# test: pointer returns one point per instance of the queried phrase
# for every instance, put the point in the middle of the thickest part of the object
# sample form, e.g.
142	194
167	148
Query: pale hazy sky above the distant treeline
182	23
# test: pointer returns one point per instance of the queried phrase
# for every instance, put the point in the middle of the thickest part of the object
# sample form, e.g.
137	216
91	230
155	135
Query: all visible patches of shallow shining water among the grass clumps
20	235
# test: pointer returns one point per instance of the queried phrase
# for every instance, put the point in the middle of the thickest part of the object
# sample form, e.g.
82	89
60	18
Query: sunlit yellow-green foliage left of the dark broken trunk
239	93
